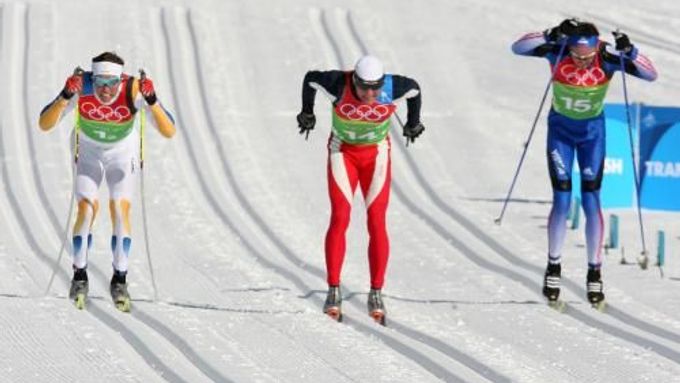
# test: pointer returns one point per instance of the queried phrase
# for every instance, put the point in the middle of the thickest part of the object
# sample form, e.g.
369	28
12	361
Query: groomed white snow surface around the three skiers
237	206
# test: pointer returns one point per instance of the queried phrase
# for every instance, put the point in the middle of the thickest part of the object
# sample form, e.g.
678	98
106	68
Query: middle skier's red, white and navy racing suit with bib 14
359	154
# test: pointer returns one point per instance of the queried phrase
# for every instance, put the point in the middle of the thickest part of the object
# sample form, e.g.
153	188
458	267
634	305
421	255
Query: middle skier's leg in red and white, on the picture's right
375	179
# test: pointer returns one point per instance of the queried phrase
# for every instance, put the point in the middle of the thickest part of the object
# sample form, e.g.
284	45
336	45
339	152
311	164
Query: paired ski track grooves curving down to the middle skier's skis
396	345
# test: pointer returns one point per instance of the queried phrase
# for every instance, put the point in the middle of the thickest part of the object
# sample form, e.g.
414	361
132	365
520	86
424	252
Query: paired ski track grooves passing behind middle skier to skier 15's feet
506	254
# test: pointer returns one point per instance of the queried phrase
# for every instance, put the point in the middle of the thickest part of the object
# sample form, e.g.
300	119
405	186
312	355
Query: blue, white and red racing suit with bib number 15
576	125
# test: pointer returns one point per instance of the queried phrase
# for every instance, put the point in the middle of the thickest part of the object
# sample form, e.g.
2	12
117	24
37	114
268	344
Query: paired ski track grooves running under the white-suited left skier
154	362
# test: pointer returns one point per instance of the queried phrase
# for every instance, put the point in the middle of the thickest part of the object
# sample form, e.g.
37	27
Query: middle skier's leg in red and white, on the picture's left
342	181
